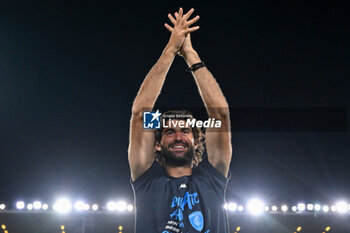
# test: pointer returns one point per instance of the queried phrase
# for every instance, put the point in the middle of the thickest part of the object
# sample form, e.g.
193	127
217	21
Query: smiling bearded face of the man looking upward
177	145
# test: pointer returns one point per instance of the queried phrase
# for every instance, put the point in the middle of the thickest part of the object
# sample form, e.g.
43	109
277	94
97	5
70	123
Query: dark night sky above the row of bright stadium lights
70	71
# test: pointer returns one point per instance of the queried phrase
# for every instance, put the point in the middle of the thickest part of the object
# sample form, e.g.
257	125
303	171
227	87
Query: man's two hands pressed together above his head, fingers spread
180	39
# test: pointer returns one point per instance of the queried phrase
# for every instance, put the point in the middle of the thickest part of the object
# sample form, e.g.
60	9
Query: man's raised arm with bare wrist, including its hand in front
141	142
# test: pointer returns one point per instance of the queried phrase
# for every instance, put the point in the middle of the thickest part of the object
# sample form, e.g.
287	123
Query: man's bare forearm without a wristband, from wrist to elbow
152	85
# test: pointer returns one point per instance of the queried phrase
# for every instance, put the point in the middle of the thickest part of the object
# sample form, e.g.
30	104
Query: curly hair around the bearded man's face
199	137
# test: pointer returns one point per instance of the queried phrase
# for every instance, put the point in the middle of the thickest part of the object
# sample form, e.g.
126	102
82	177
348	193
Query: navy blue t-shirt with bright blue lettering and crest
188	204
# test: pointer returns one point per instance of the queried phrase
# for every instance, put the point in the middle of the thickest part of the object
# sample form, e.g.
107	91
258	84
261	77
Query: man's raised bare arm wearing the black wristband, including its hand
218	142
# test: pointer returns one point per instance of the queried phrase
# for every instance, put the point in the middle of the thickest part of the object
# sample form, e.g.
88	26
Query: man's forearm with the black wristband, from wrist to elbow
209	89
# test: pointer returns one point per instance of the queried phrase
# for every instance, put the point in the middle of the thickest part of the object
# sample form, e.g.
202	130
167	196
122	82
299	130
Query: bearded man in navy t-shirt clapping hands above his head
175	190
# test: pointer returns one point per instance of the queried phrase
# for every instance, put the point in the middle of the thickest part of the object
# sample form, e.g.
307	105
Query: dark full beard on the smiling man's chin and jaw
173	160
